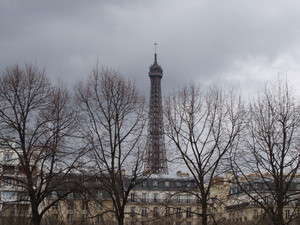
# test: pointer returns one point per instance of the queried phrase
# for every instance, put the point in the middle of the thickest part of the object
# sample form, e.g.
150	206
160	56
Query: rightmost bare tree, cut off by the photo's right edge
271	153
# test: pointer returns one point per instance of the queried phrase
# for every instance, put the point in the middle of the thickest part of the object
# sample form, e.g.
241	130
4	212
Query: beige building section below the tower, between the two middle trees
164	198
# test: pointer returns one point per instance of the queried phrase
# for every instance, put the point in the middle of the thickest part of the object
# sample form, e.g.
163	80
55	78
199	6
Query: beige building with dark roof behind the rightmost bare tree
254	197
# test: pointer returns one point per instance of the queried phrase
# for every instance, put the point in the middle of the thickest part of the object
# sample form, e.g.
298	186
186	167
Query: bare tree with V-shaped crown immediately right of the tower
203	127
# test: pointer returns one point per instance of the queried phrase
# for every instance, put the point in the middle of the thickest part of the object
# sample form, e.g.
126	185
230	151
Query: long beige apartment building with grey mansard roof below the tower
157	198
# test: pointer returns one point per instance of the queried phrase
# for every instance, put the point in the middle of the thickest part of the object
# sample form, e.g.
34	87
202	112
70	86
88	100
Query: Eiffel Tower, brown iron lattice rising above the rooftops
156	160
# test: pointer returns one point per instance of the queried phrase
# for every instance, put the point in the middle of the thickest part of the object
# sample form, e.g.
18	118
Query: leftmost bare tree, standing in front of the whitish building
37	122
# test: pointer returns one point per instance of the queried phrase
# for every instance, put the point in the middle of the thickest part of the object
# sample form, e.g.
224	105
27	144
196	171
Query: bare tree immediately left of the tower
115	117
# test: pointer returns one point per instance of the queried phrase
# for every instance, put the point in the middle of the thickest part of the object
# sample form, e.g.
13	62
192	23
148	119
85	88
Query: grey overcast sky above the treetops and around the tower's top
239	43
